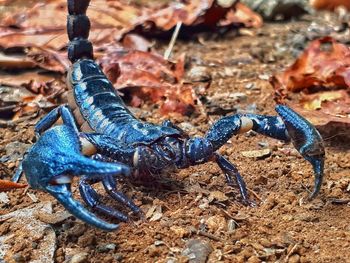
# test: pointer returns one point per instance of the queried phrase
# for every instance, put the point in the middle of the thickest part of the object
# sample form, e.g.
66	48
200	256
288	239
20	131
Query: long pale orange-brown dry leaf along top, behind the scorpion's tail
111	20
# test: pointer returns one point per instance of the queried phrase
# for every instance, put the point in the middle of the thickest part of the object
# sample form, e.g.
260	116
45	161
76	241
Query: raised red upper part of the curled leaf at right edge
324	63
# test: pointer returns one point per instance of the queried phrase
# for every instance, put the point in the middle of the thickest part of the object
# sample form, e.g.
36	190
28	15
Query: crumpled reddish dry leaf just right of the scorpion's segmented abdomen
149	77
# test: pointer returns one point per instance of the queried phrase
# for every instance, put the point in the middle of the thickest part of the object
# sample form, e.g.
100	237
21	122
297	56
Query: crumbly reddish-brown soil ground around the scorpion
192	215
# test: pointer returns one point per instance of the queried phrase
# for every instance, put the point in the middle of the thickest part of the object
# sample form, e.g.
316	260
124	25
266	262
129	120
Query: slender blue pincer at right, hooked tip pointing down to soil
307	140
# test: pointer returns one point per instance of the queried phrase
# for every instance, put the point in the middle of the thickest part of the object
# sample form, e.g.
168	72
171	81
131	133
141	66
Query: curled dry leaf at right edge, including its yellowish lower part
322	73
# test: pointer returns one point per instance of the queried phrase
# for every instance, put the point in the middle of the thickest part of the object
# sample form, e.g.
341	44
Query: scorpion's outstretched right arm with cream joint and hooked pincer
287	126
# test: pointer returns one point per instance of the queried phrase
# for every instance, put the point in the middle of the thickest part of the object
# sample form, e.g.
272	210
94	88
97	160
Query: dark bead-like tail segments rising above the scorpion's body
78	28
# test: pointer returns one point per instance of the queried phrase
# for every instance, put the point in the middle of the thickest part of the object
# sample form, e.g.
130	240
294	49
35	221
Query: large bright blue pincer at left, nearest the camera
56	157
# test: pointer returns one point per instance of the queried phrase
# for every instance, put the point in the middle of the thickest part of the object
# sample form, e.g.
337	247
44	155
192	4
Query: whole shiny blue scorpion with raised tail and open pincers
110	132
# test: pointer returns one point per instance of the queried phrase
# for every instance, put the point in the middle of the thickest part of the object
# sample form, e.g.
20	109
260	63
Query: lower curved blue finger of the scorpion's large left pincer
63	194
